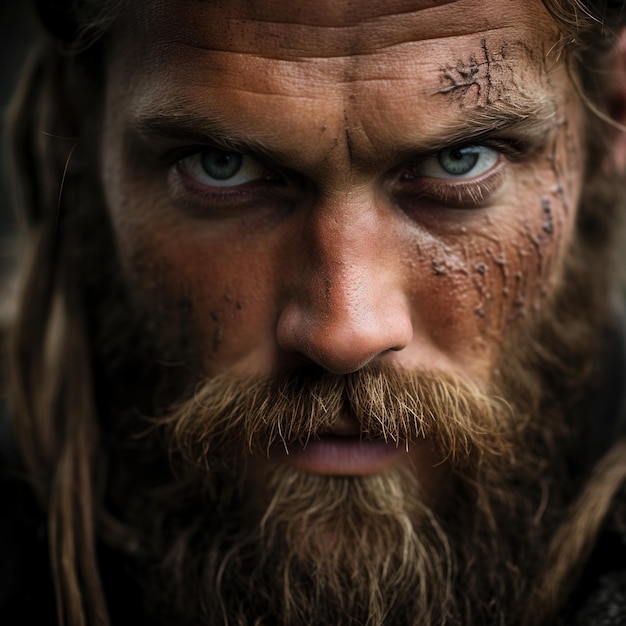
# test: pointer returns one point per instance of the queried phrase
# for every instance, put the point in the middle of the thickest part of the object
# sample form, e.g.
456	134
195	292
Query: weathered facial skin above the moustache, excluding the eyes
351	251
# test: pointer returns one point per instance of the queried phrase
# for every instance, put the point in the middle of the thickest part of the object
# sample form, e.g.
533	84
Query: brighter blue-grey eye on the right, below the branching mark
458	163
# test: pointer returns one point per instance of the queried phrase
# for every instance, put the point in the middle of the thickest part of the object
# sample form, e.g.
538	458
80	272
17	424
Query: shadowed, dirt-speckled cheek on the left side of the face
200	301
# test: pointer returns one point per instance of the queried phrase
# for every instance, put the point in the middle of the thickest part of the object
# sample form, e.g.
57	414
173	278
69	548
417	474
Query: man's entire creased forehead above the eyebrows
374	66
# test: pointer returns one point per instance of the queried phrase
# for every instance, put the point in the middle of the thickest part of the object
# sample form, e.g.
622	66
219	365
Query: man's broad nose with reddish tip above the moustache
346	303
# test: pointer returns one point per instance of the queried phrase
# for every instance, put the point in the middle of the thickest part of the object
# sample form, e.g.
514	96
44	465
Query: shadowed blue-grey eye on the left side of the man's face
221	168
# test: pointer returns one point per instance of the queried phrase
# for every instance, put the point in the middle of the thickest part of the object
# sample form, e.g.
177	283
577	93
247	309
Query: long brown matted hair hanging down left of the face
50	363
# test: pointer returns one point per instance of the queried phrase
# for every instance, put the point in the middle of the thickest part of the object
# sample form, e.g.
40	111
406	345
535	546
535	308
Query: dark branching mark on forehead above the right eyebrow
480	80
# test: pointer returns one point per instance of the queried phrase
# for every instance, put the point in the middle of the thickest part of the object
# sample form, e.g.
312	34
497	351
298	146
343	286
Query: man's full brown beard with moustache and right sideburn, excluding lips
218	542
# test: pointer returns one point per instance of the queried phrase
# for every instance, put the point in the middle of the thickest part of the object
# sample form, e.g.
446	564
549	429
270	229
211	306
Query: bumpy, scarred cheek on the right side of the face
500	269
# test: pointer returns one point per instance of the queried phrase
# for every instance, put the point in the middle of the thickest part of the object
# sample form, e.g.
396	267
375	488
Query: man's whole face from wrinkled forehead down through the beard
323	210
